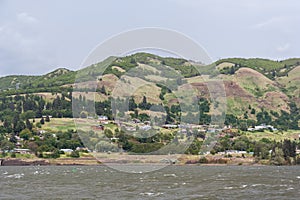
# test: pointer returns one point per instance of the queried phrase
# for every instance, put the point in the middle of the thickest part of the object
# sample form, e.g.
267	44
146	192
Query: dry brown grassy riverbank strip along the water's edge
132	159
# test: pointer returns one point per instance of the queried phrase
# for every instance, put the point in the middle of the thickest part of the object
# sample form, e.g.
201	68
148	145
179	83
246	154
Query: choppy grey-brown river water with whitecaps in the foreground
174	182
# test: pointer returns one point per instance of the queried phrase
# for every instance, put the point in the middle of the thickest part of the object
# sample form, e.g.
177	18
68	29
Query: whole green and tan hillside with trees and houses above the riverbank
156	89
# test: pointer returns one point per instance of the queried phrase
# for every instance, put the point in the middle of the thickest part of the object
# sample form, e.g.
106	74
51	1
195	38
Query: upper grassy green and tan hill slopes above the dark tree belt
254	82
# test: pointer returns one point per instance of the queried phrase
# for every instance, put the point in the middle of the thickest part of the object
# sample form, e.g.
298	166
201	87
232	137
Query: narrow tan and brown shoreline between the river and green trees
156	160
